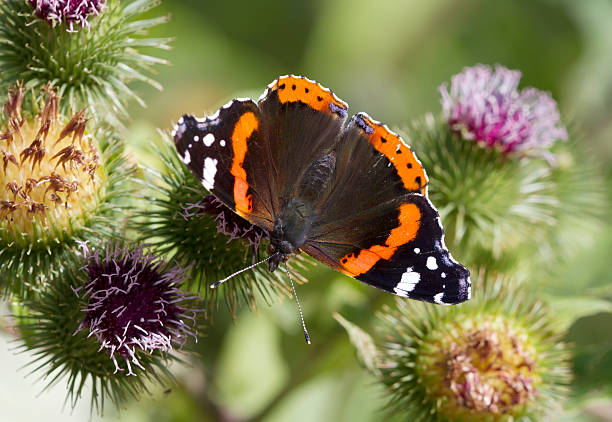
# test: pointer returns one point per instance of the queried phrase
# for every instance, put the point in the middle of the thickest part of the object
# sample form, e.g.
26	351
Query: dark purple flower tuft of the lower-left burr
133	303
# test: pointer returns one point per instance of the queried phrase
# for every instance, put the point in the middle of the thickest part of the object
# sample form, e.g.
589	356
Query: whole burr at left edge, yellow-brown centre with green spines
59	184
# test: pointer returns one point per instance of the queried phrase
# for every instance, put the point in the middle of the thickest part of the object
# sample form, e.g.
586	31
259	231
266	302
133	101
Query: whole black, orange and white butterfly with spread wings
353	197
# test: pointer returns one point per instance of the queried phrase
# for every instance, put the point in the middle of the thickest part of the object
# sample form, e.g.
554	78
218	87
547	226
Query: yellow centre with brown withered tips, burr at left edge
49	169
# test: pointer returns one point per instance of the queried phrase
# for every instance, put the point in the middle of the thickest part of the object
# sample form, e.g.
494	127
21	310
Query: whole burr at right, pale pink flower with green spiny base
490	164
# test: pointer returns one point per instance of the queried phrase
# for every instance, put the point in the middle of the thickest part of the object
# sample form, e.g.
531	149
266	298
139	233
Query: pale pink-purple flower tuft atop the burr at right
486	106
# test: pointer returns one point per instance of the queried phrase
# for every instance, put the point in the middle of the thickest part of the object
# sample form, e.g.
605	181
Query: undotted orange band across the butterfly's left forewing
246	125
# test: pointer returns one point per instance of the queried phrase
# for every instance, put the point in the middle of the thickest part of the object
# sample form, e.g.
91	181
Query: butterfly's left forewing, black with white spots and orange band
216	150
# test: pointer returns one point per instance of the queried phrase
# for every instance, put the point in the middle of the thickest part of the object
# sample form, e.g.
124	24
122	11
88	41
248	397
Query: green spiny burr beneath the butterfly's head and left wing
185	223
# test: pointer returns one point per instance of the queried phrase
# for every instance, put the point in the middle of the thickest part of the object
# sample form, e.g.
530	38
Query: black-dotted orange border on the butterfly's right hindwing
391	145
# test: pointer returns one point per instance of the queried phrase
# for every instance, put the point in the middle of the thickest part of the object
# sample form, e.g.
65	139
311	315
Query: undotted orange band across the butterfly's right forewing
409	223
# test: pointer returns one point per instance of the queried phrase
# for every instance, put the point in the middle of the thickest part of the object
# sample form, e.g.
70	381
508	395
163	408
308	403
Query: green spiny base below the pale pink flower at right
491	205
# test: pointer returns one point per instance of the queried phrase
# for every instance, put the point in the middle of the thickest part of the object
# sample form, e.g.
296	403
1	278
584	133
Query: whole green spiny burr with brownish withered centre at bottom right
495	358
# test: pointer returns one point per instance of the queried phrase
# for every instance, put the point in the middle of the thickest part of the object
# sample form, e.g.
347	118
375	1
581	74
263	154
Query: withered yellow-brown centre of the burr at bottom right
486	369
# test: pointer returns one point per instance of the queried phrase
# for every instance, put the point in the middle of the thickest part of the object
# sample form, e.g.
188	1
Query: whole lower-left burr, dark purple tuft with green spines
118	315
